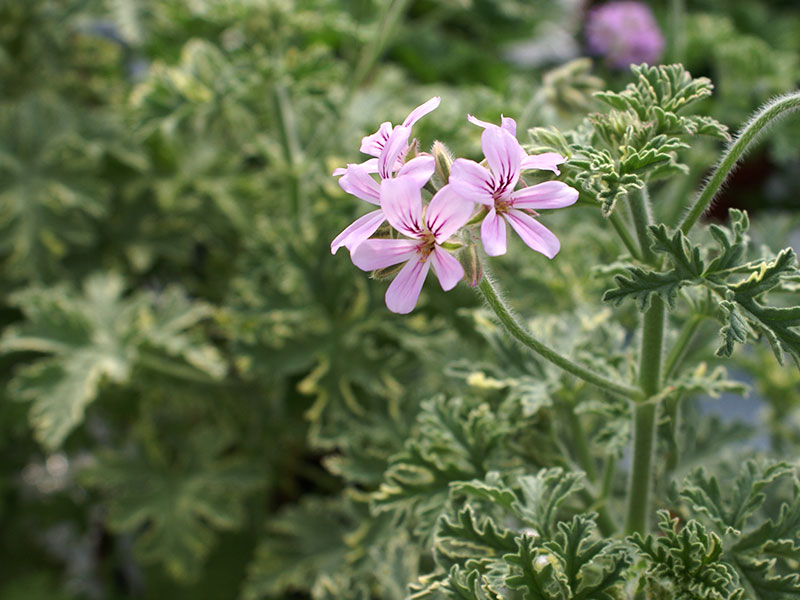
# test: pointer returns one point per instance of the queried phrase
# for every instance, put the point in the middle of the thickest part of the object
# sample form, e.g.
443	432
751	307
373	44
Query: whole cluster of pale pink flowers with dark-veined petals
431	231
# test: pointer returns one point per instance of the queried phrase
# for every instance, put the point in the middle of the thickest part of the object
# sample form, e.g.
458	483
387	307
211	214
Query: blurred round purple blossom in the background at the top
624	33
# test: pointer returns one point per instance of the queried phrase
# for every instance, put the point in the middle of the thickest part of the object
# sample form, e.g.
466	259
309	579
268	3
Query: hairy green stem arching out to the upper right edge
773	111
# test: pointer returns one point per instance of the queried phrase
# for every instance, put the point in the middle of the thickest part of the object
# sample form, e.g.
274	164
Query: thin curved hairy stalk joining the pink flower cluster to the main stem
515	329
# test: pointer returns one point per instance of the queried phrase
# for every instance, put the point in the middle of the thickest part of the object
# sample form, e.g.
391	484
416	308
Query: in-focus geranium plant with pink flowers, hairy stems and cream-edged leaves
502	534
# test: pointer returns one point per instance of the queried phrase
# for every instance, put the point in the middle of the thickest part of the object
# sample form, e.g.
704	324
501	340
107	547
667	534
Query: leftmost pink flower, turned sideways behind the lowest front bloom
389	146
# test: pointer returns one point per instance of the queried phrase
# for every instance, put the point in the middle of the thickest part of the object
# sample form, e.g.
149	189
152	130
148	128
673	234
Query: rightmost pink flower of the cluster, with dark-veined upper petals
494	188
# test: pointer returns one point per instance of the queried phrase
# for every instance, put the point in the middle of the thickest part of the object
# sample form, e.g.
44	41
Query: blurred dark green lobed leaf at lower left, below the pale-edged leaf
174	506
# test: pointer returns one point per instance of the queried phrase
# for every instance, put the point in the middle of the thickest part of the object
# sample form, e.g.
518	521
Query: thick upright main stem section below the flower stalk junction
644	433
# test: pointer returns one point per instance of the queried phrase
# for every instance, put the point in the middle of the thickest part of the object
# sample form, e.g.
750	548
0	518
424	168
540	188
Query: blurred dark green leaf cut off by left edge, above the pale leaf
49	188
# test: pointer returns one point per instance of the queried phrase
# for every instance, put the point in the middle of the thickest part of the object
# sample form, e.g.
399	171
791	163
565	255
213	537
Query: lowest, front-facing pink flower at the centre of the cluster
428	230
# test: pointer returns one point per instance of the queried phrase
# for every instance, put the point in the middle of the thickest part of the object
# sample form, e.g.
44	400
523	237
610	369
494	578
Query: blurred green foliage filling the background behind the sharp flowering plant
198	400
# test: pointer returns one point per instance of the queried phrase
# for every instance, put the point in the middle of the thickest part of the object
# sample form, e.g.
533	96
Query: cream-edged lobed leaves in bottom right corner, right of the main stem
733	558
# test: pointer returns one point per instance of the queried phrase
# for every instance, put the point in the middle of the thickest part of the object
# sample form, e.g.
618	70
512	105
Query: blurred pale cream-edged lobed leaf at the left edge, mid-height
96	336
